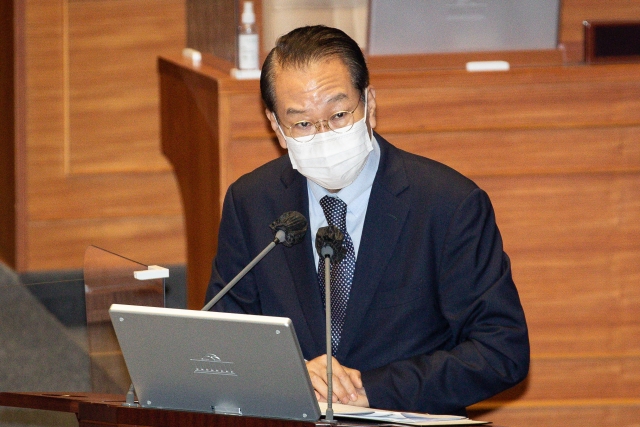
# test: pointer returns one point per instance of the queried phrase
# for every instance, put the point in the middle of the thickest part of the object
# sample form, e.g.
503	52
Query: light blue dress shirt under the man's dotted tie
356	196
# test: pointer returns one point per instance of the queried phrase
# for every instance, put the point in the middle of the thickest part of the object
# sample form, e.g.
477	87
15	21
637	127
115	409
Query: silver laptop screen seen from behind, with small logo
215	362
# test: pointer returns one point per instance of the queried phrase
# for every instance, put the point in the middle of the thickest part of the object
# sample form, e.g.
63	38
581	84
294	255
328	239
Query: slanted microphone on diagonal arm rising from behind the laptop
289	229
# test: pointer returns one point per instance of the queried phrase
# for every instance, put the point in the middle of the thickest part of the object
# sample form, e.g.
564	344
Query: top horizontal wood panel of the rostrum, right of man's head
457	100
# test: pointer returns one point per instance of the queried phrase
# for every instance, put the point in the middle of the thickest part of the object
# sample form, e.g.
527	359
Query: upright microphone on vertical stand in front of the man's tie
329	246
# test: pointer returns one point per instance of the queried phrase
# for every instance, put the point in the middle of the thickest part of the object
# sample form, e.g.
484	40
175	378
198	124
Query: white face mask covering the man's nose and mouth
332	160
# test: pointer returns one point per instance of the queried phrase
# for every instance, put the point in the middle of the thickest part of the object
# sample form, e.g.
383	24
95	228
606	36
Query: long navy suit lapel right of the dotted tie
386	214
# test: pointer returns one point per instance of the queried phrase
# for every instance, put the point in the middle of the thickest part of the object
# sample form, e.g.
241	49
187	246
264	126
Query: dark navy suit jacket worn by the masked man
433	322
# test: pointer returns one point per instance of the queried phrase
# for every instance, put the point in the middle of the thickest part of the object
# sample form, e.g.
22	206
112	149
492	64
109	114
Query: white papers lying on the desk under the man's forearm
394	417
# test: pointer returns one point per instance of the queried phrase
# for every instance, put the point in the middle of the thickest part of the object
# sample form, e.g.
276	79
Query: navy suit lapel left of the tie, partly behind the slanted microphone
301	262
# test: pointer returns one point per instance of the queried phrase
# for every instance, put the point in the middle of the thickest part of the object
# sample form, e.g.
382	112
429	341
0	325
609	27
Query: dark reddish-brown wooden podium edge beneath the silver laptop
105	410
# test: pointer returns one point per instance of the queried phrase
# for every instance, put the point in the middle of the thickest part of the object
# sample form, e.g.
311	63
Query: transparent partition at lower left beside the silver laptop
56	336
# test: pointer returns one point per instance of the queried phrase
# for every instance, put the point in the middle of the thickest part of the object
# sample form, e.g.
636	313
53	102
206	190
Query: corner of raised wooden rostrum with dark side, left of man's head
212	130
